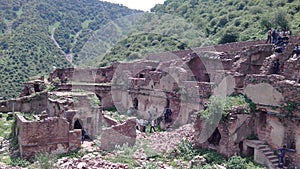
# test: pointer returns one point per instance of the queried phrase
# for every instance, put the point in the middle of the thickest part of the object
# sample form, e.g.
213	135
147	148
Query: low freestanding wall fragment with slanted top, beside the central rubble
121	134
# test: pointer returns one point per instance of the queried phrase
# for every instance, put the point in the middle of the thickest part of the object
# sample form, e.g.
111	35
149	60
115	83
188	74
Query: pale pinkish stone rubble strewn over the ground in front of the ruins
148	146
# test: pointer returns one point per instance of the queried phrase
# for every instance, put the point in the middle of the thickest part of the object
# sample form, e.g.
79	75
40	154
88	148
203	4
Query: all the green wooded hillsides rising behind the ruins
36	36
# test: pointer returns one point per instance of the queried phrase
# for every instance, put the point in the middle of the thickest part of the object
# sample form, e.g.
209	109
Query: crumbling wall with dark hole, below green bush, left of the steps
232	133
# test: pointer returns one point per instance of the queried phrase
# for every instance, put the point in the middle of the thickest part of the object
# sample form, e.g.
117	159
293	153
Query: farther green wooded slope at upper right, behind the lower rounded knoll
242	19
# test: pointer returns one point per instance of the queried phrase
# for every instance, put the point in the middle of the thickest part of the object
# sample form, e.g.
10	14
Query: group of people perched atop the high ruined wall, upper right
279	39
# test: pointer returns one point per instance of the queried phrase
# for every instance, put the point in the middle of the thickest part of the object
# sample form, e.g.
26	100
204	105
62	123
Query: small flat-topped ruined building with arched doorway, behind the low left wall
77	107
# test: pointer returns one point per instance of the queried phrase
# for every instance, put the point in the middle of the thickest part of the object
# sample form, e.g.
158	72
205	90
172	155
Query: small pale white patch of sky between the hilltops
144	5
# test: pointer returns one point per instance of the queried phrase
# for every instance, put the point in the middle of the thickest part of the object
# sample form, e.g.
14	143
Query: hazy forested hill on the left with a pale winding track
28	29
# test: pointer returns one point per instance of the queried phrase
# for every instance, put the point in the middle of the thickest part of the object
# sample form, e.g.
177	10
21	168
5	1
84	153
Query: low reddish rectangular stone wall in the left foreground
50	135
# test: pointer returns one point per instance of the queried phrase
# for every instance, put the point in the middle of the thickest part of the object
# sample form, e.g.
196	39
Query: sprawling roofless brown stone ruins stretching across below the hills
172	88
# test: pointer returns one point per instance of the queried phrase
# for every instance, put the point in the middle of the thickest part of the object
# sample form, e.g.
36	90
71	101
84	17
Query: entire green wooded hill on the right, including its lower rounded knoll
203	22
